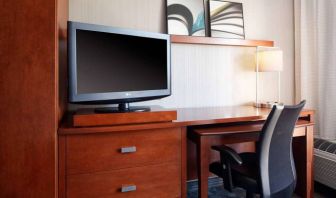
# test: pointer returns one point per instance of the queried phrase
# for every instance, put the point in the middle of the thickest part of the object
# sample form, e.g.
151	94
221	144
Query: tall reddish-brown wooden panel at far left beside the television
29	97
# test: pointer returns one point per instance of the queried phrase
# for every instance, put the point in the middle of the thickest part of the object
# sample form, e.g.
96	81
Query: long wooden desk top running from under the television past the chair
189	117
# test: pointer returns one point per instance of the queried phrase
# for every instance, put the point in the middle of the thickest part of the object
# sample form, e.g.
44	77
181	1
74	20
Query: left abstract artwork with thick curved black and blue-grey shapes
186	17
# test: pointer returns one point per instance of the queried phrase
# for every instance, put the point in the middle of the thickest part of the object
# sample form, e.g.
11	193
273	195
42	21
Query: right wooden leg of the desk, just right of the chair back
303	156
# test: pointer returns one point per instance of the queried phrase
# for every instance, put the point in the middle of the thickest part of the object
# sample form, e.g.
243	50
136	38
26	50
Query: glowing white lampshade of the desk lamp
270	61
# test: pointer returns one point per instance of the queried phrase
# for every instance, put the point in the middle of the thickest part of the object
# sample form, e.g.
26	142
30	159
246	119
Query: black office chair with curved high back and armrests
270	171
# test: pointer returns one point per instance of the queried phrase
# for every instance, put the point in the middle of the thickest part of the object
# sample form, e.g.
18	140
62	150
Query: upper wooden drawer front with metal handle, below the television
104	152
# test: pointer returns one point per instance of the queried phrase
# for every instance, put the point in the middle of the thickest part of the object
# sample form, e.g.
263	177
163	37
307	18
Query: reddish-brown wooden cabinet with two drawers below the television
142	163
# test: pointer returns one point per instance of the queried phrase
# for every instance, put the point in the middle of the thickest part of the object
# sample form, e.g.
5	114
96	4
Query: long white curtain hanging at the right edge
315	61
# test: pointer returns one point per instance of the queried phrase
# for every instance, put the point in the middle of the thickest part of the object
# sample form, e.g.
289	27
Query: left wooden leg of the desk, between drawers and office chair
203	152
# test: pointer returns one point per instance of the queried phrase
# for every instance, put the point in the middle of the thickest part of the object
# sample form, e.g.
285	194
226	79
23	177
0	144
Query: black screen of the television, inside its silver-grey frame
108	62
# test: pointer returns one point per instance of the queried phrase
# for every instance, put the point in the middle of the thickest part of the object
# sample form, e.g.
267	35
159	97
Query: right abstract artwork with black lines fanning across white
226	19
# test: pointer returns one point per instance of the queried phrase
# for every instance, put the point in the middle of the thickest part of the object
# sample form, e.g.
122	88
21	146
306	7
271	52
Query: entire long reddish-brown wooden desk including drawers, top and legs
95	151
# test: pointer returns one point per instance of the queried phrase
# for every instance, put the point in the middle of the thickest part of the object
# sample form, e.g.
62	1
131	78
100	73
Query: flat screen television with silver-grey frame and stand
109	65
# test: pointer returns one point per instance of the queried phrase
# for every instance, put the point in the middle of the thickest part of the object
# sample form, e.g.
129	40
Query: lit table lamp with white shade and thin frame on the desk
268	60
